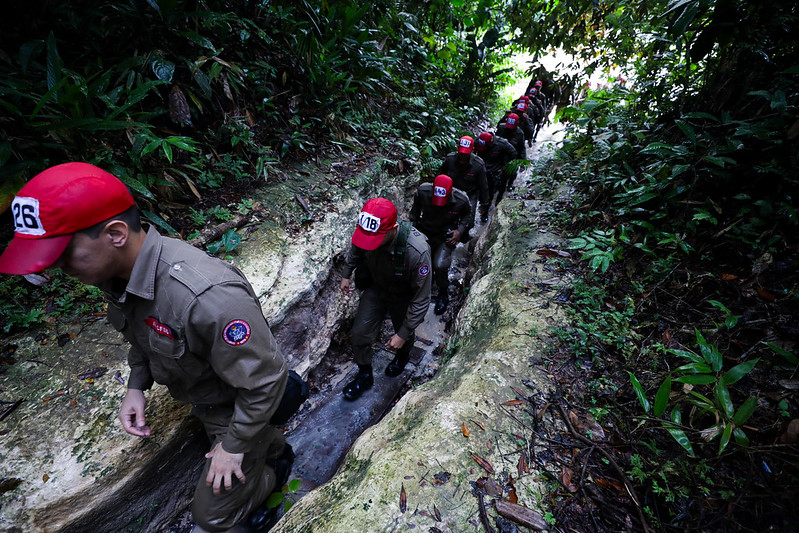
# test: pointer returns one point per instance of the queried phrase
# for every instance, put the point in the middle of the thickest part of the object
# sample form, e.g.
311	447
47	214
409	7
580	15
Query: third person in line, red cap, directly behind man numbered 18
441	212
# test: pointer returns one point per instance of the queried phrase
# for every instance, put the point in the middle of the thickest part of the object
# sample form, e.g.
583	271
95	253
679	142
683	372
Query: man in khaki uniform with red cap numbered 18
398	281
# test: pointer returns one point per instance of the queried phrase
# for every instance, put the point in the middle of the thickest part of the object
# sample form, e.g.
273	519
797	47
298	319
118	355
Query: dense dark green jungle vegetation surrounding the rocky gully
686	323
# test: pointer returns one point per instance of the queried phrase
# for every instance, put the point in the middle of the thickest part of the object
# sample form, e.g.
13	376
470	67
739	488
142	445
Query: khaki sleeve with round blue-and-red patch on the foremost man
229	326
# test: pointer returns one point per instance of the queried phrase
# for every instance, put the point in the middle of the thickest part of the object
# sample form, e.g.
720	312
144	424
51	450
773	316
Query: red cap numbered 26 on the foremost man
55	204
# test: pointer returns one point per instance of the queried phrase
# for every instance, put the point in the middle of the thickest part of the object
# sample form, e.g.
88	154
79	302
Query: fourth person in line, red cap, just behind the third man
468	174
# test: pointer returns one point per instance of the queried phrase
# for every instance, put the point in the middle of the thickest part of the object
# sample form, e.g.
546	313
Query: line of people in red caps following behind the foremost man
392	261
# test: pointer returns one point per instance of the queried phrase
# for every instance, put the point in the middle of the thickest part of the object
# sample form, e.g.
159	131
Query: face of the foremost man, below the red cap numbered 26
89	260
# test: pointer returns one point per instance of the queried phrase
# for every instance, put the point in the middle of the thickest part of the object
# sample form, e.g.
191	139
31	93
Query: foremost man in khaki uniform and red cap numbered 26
192	320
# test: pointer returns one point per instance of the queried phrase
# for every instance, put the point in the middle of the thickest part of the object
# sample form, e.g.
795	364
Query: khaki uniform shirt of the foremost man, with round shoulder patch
195	325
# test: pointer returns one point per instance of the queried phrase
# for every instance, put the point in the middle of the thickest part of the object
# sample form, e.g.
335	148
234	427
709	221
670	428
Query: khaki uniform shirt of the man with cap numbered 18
414	285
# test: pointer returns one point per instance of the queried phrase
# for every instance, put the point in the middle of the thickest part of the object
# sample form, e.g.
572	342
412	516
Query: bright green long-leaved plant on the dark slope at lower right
702	372
